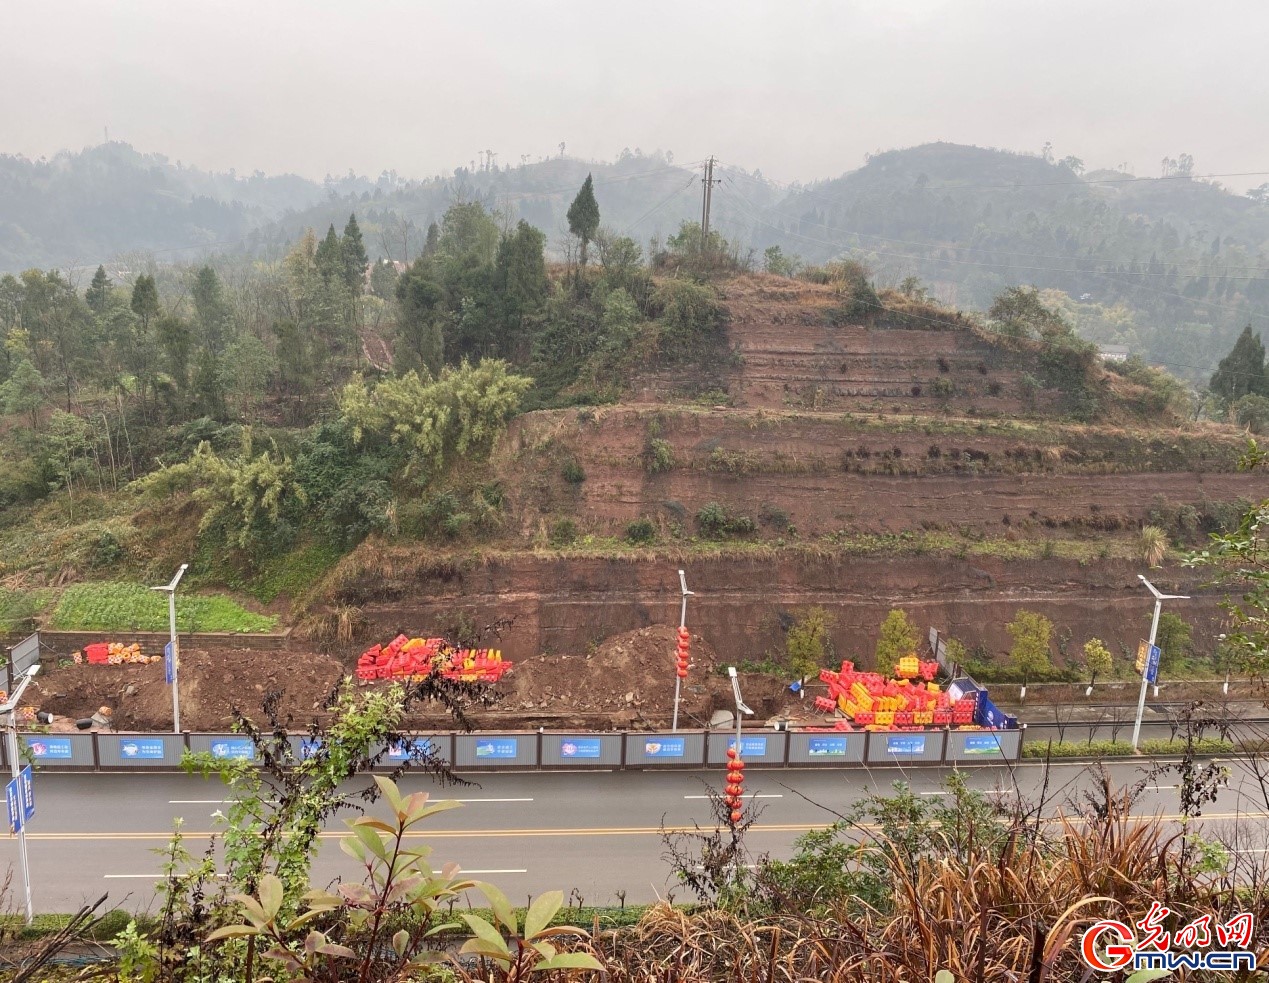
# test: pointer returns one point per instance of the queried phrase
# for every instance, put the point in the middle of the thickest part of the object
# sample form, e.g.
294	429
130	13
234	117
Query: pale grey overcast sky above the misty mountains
801	91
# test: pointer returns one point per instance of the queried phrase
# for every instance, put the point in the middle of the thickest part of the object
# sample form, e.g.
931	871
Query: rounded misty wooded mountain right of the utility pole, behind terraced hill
1173	268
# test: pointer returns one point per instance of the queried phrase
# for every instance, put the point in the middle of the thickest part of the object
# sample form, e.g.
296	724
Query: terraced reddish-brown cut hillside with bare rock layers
833	462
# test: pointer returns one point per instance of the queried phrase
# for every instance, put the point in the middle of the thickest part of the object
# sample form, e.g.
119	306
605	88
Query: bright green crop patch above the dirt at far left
131	607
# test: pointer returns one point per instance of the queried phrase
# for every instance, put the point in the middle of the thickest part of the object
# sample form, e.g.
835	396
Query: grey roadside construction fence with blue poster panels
539	750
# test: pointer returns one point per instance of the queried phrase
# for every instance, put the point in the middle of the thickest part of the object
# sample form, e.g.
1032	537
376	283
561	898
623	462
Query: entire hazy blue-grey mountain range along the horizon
1172	268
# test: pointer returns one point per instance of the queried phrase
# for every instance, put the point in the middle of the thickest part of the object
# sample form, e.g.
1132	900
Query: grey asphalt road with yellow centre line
597	831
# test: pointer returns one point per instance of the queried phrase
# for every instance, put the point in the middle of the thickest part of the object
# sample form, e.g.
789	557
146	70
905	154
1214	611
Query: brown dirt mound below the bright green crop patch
211	686
